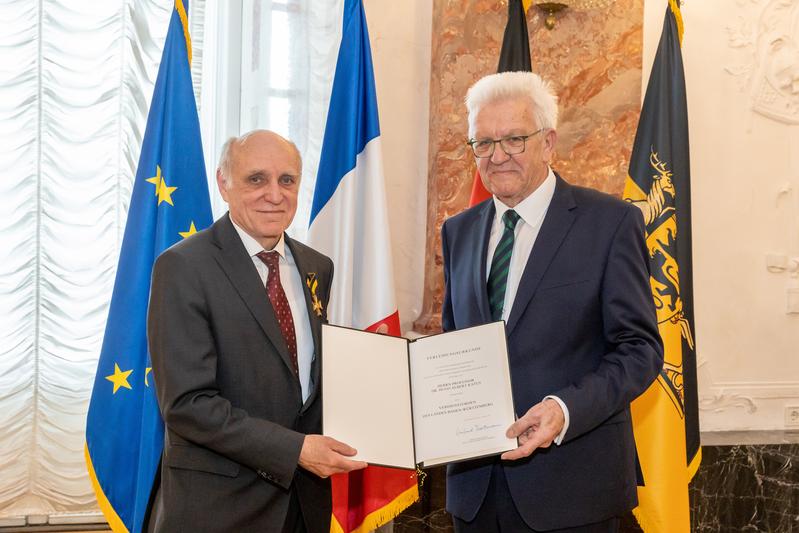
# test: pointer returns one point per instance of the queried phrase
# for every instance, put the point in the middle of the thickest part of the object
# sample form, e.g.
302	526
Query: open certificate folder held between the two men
429	401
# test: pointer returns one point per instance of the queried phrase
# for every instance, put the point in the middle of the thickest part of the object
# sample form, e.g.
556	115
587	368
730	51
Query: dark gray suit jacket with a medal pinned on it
233	410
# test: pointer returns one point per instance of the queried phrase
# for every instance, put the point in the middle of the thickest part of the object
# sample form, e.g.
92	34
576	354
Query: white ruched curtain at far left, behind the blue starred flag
76	79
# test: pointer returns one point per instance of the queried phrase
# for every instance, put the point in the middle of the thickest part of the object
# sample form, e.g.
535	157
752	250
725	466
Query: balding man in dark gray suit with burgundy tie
234	332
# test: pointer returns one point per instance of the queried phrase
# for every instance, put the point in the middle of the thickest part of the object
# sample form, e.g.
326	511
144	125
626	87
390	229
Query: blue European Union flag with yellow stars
124	431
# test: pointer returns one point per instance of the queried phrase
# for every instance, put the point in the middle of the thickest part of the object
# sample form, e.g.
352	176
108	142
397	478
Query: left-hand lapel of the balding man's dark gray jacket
237	265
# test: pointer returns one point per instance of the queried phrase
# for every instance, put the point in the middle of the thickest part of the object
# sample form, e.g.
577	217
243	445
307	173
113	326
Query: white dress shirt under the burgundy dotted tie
291	281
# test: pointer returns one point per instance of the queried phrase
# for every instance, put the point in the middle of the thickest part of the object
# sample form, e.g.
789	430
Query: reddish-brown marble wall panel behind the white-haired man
593	59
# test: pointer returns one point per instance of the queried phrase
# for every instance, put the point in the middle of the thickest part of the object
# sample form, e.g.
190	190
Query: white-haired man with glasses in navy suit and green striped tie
567	269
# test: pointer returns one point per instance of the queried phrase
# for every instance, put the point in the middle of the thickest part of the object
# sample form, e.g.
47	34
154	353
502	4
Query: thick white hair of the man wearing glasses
509	85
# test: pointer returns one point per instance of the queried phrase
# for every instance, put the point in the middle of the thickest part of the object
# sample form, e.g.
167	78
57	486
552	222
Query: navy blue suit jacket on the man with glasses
582	327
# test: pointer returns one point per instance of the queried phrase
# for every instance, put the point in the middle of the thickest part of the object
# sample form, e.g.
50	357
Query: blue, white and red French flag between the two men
349	223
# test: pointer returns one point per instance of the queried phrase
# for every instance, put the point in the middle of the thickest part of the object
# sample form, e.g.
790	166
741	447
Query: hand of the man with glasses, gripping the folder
538	428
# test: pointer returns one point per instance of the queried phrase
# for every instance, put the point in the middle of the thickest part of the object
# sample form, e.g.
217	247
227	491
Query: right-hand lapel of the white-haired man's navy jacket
556	224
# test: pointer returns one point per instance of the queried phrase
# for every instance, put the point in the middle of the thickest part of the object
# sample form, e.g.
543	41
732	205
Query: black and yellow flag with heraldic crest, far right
665	417
